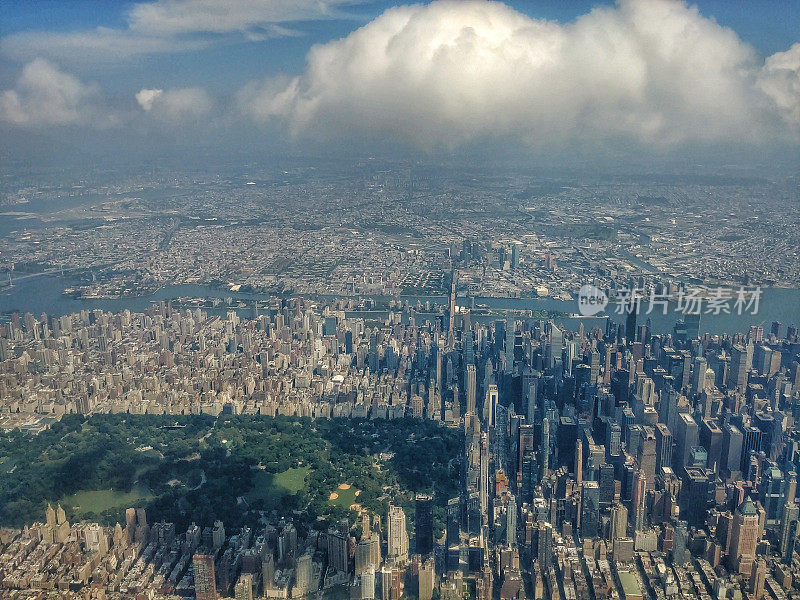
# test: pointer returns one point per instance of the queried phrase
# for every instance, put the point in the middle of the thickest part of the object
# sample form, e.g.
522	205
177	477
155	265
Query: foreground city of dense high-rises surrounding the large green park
307	450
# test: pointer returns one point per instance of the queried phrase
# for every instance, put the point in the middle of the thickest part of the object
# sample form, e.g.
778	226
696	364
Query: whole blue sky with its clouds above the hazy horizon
631	82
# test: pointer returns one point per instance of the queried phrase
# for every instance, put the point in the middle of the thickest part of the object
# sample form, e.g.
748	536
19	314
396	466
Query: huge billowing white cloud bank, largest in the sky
647	71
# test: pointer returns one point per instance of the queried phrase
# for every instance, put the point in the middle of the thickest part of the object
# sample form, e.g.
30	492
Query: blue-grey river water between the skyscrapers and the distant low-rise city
44	294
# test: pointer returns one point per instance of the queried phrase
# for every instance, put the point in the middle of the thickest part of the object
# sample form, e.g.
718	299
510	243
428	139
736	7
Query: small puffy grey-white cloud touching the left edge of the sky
44	95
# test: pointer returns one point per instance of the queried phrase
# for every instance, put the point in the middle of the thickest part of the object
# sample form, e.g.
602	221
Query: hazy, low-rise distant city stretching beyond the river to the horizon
367	229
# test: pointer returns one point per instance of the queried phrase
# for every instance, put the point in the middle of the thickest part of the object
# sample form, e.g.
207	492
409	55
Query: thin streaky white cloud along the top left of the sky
172	26
